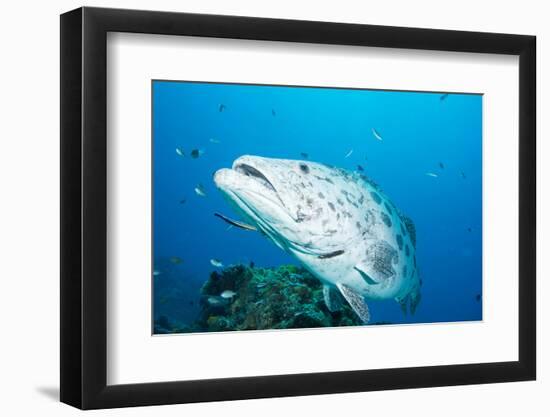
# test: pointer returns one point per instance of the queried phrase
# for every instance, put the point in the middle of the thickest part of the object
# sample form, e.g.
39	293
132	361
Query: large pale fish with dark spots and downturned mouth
337	223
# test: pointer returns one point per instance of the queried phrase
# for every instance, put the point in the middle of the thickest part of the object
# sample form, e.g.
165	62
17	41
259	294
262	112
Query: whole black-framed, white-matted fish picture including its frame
257	208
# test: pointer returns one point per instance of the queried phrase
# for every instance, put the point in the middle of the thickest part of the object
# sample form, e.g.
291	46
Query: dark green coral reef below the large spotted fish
249	298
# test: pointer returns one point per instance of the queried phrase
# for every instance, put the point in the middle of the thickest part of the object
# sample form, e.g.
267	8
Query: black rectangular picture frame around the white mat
84	207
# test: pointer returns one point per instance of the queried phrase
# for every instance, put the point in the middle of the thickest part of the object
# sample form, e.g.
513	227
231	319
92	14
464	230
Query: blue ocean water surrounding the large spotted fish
423	133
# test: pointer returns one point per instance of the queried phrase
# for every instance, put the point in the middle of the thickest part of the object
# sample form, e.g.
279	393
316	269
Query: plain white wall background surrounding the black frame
29	237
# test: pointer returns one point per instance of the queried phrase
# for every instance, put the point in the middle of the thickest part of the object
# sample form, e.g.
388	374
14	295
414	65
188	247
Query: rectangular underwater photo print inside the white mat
285	207
